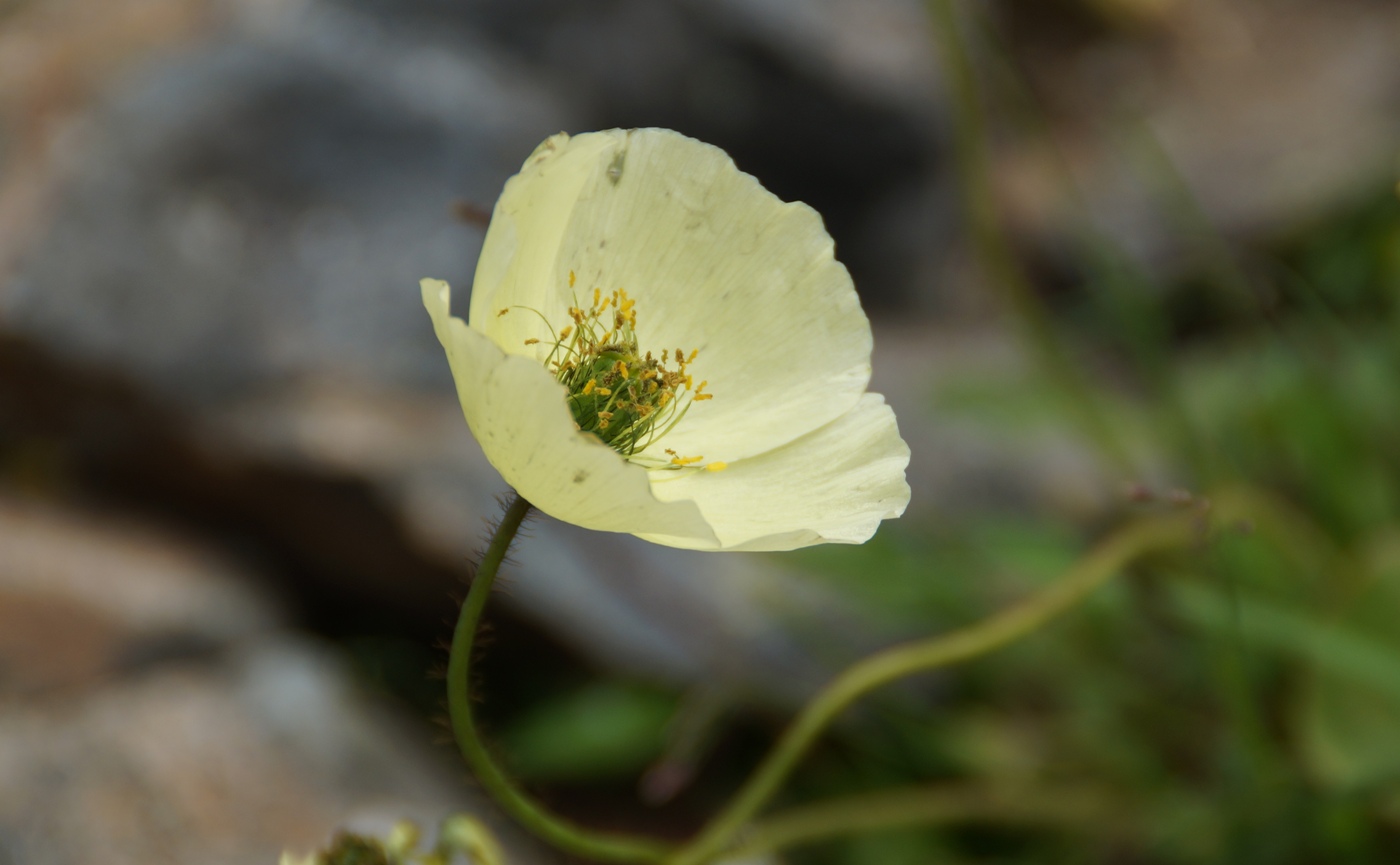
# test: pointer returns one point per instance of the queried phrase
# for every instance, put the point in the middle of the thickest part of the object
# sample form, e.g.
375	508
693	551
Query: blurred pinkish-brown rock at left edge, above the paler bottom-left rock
83	600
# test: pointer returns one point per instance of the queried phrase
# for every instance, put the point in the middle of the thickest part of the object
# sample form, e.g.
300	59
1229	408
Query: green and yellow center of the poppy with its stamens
626	398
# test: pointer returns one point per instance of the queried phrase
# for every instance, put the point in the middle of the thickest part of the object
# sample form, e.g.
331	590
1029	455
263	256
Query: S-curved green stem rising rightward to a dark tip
922	656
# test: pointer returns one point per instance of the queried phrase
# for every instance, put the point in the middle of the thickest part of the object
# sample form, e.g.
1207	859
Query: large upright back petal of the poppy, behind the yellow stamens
716	264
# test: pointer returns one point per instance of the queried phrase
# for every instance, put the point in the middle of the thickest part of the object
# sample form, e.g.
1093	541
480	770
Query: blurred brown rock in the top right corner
1269	114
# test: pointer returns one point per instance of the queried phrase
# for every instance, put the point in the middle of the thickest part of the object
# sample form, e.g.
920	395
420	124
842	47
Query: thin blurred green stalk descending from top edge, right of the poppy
995	255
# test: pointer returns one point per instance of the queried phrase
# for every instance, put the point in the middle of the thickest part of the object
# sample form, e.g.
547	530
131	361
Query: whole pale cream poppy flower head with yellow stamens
610	258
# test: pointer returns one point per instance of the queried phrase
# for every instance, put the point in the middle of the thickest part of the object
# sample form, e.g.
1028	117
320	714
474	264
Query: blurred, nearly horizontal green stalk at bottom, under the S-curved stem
930	806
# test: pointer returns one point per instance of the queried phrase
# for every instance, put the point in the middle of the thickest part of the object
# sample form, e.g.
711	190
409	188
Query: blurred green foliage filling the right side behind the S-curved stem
1237	706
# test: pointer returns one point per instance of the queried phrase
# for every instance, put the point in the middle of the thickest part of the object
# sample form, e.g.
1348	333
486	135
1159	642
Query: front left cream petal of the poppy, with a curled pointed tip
519	415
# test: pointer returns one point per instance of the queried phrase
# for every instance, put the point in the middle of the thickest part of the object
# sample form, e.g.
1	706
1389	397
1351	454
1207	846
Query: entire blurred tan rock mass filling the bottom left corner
150	713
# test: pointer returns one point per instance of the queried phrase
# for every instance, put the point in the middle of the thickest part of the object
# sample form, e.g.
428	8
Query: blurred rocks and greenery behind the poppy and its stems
1122	257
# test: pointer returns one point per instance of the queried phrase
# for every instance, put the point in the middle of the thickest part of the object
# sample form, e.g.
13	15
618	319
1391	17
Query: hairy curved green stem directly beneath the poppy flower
514	801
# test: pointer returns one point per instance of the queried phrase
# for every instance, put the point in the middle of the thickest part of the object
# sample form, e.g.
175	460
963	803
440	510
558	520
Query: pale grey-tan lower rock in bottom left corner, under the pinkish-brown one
220	764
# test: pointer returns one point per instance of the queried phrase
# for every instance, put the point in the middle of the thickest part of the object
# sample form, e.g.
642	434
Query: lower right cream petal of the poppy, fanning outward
835	485
